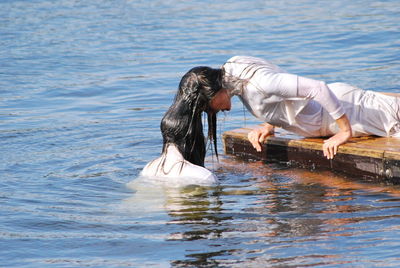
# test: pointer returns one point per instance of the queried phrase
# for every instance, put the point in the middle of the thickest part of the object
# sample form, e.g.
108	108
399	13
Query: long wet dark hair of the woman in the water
182	123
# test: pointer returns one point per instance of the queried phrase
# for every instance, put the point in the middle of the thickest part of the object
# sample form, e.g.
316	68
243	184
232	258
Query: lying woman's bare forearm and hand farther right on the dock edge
331	145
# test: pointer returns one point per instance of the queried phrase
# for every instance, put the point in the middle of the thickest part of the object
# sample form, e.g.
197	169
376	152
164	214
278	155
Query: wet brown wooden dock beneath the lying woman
370	158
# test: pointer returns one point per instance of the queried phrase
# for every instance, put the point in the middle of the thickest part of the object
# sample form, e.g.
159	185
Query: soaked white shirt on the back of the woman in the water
172	167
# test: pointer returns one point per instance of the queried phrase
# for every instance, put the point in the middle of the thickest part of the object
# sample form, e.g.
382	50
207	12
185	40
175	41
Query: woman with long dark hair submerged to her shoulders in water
184	147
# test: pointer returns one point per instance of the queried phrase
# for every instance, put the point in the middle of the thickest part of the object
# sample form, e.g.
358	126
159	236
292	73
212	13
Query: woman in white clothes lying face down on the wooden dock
305	106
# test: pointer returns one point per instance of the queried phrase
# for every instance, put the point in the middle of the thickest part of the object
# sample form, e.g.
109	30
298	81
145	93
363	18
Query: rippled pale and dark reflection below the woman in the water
194	212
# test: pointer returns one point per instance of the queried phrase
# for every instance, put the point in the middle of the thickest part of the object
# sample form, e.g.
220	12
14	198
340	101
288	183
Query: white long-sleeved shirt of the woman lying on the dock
274	96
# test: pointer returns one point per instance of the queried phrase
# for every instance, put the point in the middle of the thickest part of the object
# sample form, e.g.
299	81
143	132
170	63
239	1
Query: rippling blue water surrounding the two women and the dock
83	86
